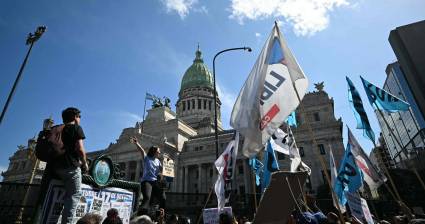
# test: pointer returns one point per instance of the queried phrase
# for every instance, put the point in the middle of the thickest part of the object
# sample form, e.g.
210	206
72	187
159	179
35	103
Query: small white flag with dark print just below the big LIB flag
285	143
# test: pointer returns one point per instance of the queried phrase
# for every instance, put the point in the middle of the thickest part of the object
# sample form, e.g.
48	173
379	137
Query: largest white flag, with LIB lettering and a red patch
268	95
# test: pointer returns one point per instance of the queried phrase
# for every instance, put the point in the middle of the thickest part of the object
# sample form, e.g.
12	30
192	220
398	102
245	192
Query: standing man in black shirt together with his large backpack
62	148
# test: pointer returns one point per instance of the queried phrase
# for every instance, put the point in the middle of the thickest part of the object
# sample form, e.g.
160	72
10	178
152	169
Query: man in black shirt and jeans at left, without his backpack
67	168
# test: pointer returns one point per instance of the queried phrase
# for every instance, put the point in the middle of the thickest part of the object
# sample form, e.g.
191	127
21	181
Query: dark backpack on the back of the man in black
49	144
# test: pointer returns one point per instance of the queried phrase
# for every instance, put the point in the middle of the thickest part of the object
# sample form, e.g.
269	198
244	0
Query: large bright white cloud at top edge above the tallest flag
305	16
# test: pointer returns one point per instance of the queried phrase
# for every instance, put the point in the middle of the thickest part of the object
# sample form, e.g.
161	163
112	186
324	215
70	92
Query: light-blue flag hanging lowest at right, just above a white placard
349	177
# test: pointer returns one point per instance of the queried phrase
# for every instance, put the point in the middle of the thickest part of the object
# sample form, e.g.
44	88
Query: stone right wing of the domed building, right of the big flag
317	110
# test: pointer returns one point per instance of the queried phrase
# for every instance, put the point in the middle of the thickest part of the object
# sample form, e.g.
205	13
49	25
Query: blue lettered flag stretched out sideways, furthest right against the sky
382	100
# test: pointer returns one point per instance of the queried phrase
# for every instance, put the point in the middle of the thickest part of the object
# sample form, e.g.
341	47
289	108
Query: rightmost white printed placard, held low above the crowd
359	207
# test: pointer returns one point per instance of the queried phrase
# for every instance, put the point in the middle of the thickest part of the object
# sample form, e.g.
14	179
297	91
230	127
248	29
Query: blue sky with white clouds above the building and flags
102	56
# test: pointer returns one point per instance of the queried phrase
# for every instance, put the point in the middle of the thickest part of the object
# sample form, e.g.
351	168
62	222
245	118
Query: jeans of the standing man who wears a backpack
71	178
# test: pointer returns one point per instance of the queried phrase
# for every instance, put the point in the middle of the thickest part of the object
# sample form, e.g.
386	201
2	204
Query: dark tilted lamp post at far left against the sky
31	39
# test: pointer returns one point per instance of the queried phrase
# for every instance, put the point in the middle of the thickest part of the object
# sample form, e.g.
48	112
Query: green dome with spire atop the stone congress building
197	75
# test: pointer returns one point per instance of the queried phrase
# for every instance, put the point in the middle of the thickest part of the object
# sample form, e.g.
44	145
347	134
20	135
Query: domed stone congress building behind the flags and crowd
187	137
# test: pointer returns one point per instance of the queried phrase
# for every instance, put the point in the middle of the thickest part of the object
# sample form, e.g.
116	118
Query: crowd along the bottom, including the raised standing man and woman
73	162
